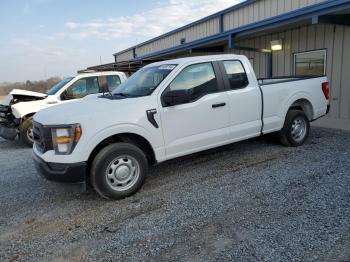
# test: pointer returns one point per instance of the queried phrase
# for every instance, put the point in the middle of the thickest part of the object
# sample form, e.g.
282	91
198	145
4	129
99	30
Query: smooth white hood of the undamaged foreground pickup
92	108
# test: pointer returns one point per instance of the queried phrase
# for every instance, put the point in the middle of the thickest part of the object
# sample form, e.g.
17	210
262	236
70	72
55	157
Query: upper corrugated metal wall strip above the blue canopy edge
256	11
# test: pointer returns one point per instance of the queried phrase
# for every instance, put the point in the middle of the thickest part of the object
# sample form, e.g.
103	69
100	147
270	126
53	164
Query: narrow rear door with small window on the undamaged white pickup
245	103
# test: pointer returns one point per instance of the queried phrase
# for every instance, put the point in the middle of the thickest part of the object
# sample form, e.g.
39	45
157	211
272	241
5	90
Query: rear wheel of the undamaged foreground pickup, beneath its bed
296	129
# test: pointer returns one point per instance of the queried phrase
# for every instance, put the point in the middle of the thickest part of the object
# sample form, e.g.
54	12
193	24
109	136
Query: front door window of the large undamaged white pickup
199	80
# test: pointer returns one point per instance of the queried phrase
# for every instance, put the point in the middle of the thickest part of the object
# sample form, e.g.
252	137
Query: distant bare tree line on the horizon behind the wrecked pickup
37	86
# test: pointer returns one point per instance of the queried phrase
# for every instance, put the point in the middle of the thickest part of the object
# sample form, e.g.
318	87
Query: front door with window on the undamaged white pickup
201	123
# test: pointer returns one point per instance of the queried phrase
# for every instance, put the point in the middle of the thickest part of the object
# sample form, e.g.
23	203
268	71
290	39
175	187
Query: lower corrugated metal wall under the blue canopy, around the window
336	39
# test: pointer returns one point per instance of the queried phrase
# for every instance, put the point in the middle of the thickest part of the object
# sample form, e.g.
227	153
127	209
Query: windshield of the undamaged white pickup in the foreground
144	81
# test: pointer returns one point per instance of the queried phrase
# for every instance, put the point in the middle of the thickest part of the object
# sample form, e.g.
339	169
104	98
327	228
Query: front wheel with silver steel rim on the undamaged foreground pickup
114	166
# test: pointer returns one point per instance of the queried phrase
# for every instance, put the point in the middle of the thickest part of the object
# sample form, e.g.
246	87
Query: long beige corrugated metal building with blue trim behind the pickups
280	37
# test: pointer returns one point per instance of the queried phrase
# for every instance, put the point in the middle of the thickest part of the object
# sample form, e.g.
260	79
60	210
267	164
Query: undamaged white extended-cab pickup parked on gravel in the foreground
167	110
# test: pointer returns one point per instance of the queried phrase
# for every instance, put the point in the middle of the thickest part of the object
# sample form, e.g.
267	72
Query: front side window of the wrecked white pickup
82	88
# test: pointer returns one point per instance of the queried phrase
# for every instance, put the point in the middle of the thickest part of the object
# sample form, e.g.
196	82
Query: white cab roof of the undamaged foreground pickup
195	59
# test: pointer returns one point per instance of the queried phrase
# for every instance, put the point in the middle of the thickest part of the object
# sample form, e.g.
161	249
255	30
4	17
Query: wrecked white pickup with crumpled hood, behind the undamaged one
18	108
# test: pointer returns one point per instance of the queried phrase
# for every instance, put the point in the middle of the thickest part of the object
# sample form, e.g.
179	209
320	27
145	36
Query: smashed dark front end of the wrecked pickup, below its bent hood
8	123
